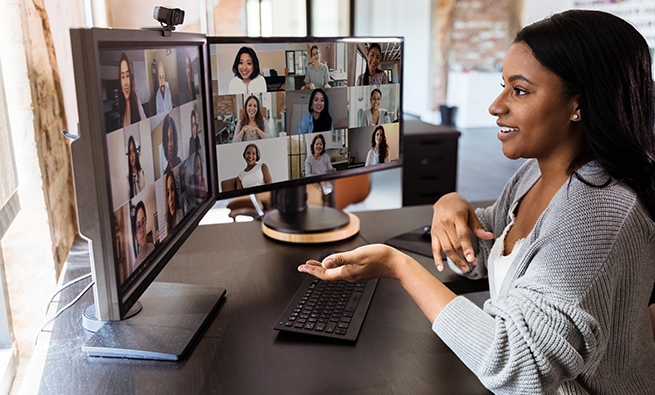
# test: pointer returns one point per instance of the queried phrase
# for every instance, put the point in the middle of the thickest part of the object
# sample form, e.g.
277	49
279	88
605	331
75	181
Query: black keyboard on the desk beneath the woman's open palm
334	309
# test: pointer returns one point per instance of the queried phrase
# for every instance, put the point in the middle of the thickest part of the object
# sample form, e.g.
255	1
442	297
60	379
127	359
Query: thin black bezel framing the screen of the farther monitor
323	177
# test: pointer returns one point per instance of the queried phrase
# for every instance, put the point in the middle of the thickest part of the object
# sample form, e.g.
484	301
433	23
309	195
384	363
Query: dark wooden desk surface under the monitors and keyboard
240	353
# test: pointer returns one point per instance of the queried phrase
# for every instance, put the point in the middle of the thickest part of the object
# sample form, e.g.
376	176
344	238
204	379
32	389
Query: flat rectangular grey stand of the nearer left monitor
170	319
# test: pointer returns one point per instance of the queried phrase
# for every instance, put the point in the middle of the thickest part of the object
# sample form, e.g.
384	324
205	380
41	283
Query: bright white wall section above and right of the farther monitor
410	19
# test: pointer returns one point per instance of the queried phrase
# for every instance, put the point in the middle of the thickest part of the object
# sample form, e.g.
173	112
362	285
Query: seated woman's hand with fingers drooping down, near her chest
452	218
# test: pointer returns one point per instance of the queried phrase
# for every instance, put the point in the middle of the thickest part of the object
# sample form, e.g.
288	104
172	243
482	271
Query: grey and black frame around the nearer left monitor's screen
95	212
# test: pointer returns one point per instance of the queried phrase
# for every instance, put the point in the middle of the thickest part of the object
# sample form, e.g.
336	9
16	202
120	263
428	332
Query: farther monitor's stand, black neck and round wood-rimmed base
294	221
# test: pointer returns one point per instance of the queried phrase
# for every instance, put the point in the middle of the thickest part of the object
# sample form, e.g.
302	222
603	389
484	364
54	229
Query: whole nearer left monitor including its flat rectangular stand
142	170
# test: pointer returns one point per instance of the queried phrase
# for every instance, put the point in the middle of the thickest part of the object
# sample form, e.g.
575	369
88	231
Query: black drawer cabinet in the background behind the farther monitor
430	162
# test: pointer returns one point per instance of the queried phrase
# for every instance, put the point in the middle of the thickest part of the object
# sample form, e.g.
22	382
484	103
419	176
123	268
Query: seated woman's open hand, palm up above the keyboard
363	263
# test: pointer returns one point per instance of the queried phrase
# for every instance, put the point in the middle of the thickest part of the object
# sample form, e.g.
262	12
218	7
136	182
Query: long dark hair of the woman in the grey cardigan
605	61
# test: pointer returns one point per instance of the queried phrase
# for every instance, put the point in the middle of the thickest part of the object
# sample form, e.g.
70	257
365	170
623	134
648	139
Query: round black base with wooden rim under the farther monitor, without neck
314	215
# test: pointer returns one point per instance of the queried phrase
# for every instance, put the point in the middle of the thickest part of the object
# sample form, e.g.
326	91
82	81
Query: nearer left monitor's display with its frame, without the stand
144	133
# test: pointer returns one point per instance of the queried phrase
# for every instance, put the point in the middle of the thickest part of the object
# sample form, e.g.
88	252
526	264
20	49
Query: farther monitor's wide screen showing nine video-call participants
288	111
